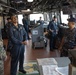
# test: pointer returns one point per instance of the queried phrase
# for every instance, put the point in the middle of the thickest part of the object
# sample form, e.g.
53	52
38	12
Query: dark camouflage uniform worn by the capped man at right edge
69	42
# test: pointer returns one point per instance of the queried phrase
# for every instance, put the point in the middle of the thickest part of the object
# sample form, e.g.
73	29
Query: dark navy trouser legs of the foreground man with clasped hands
17	54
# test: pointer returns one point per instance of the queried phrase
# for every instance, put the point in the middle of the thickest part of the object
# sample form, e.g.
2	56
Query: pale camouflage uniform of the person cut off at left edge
2	57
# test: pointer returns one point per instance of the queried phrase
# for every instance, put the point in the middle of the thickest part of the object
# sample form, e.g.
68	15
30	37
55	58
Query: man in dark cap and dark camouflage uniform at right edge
69	39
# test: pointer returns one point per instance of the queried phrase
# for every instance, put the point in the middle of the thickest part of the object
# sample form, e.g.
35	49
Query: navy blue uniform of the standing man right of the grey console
53	26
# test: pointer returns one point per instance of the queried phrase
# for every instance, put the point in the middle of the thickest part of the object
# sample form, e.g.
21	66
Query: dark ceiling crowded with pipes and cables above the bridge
40	5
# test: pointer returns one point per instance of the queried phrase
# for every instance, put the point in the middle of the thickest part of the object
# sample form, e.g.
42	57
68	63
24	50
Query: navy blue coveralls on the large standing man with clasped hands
17	35
